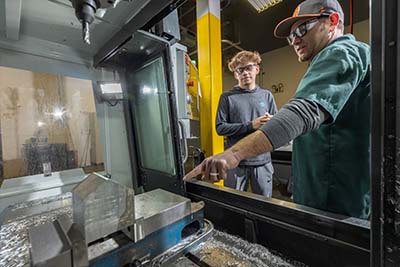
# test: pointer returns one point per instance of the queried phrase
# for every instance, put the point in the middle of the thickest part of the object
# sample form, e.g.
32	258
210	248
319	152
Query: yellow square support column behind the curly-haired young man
210	72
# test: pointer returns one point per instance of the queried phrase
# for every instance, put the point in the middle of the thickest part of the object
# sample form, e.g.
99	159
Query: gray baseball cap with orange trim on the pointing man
308	9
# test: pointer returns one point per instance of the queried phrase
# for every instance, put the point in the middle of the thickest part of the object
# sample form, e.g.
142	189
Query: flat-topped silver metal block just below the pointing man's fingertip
157	209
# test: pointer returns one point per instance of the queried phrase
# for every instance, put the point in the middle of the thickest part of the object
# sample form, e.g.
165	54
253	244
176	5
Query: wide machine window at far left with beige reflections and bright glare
47	124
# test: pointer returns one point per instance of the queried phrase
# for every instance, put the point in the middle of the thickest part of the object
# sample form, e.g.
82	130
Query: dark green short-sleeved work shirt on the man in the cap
331	165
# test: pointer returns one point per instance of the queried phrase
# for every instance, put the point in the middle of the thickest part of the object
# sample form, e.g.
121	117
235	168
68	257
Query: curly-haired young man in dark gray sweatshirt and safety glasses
241	111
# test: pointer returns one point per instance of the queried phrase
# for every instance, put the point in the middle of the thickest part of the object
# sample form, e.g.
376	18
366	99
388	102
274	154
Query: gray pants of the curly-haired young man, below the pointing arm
260	178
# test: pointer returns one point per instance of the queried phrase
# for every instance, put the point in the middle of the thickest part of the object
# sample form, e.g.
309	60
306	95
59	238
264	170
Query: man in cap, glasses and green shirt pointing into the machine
328	118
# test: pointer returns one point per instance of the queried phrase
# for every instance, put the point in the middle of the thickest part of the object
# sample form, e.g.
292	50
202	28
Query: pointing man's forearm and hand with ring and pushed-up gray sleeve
297	117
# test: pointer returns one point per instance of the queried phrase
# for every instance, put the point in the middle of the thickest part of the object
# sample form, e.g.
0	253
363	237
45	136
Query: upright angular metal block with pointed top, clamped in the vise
102	207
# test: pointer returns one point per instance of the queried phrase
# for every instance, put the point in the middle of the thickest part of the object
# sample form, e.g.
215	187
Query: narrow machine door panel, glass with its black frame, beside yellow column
154	123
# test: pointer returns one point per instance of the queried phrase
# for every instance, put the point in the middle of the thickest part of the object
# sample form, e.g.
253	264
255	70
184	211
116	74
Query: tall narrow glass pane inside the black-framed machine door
151	115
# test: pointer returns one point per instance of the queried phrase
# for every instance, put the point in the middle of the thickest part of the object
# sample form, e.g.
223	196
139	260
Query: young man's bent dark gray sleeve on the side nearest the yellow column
226	128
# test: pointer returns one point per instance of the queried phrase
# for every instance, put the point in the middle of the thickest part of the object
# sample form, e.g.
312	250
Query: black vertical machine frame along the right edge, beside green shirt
385	194
